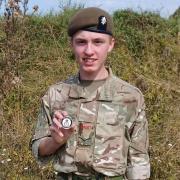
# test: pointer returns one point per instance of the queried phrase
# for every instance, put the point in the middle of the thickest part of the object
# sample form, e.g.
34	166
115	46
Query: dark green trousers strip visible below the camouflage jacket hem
64	176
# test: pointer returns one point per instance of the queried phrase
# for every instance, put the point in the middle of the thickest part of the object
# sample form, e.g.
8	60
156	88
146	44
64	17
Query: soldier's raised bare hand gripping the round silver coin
58	133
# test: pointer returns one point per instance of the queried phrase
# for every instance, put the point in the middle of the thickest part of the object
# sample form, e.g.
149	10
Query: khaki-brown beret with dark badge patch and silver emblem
91	19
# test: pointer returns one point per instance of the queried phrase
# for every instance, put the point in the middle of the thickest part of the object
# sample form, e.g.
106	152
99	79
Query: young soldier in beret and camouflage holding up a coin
93	125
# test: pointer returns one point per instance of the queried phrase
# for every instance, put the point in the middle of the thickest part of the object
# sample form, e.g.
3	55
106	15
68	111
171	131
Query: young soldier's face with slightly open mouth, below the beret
91	50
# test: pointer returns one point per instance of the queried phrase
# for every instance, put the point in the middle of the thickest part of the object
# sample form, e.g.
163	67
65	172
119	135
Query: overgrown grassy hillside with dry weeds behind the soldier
35	53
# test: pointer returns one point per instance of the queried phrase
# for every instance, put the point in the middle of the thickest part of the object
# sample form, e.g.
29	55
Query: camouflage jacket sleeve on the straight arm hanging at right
138	157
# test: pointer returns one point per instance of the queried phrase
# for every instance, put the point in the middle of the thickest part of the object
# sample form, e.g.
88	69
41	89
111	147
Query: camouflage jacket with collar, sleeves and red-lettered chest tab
111	135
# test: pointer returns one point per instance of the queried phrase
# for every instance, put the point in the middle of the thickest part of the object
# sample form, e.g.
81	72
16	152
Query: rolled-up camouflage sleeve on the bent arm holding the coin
54	99
